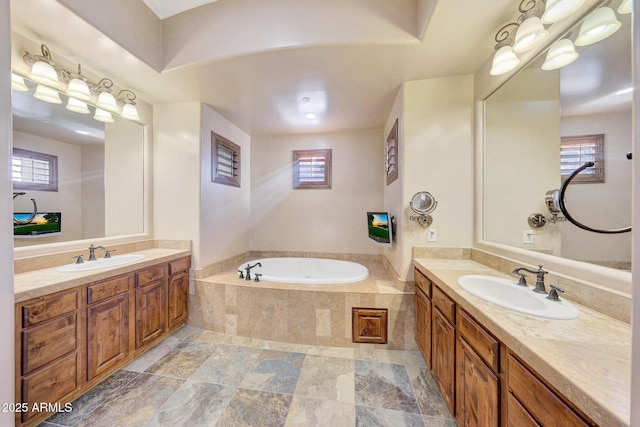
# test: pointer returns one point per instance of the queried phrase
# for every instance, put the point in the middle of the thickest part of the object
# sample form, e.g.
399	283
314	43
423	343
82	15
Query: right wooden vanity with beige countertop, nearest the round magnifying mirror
496	367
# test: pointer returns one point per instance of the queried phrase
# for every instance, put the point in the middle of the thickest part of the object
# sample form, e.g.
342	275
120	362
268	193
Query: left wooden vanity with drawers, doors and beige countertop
75	329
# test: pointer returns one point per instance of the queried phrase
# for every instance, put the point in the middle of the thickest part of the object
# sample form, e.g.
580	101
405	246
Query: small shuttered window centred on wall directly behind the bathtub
311	169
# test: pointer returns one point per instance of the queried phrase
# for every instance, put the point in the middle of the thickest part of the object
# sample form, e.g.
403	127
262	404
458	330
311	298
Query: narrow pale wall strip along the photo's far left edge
7	331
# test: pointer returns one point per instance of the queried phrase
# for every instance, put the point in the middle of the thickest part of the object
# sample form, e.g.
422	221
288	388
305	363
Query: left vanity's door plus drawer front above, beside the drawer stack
107	324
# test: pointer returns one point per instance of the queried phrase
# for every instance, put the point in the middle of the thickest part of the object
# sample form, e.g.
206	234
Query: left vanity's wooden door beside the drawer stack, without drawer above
107	334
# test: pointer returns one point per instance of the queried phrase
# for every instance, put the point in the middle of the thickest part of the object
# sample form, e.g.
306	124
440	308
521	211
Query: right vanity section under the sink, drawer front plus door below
478	366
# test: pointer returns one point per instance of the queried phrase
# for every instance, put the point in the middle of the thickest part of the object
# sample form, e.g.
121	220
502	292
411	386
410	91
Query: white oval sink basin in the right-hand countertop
508	294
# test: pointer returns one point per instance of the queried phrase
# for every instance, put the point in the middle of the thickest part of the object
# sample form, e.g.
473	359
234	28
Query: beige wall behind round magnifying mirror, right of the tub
436	151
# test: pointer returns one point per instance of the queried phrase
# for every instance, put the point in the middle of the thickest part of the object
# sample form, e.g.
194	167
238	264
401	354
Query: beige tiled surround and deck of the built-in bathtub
298	313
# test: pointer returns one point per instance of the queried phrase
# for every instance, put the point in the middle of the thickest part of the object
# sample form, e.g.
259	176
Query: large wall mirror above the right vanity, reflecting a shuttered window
525	122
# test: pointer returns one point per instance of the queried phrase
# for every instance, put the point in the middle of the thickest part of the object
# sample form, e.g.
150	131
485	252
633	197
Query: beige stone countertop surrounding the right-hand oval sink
587	359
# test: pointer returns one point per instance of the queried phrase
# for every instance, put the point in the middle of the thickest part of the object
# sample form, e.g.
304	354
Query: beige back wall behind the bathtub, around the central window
321	220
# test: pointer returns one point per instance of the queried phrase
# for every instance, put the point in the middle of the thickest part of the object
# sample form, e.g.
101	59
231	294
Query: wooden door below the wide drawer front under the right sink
477	393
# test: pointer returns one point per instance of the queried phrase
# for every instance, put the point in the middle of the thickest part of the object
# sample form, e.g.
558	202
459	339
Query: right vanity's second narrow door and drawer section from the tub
443	342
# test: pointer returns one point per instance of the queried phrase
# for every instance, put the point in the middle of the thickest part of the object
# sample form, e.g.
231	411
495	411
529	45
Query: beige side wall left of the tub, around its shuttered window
224	210
